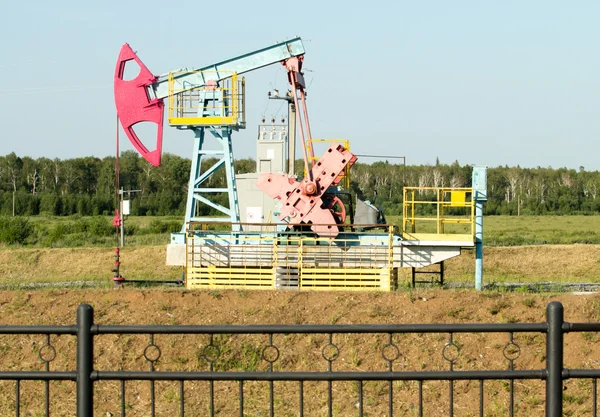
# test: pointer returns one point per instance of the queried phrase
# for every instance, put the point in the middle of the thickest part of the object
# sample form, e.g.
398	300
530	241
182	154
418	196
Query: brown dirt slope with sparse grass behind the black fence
297	352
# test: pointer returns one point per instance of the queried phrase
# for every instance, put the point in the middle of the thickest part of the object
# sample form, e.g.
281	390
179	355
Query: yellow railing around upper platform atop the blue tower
206	104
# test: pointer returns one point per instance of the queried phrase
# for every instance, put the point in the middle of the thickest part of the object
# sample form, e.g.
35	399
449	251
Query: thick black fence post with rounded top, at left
85	361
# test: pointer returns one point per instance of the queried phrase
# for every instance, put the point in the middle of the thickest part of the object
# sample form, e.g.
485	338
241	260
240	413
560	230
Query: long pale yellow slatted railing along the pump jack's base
256	261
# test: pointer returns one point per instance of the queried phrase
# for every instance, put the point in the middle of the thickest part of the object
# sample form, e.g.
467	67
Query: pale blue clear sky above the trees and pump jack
483	82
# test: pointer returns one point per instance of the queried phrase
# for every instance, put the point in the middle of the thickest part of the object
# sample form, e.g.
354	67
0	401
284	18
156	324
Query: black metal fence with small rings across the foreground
85	376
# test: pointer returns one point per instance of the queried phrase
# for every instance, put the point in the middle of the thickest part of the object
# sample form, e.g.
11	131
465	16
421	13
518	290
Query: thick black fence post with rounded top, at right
554	359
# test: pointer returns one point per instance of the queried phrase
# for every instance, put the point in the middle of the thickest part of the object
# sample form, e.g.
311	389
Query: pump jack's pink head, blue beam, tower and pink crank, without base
212	98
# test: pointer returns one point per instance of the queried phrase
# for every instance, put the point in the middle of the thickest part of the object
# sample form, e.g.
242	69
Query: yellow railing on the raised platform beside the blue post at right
449	206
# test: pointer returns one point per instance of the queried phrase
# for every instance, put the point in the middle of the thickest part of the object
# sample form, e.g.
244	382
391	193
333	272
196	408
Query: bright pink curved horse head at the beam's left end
134	106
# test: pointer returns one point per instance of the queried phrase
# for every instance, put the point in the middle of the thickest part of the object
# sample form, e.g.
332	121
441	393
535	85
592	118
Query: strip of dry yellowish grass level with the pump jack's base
545	263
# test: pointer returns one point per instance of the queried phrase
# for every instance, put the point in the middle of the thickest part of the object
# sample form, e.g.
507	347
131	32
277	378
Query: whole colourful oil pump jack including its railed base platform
310	246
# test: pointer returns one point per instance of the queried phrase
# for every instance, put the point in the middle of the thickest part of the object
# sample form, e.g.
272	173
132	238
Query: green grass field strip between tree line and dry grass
78	231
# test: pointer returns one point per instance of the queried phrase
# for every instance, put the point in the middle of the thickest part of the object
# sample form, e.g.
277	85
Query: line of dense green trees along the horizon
86	186
